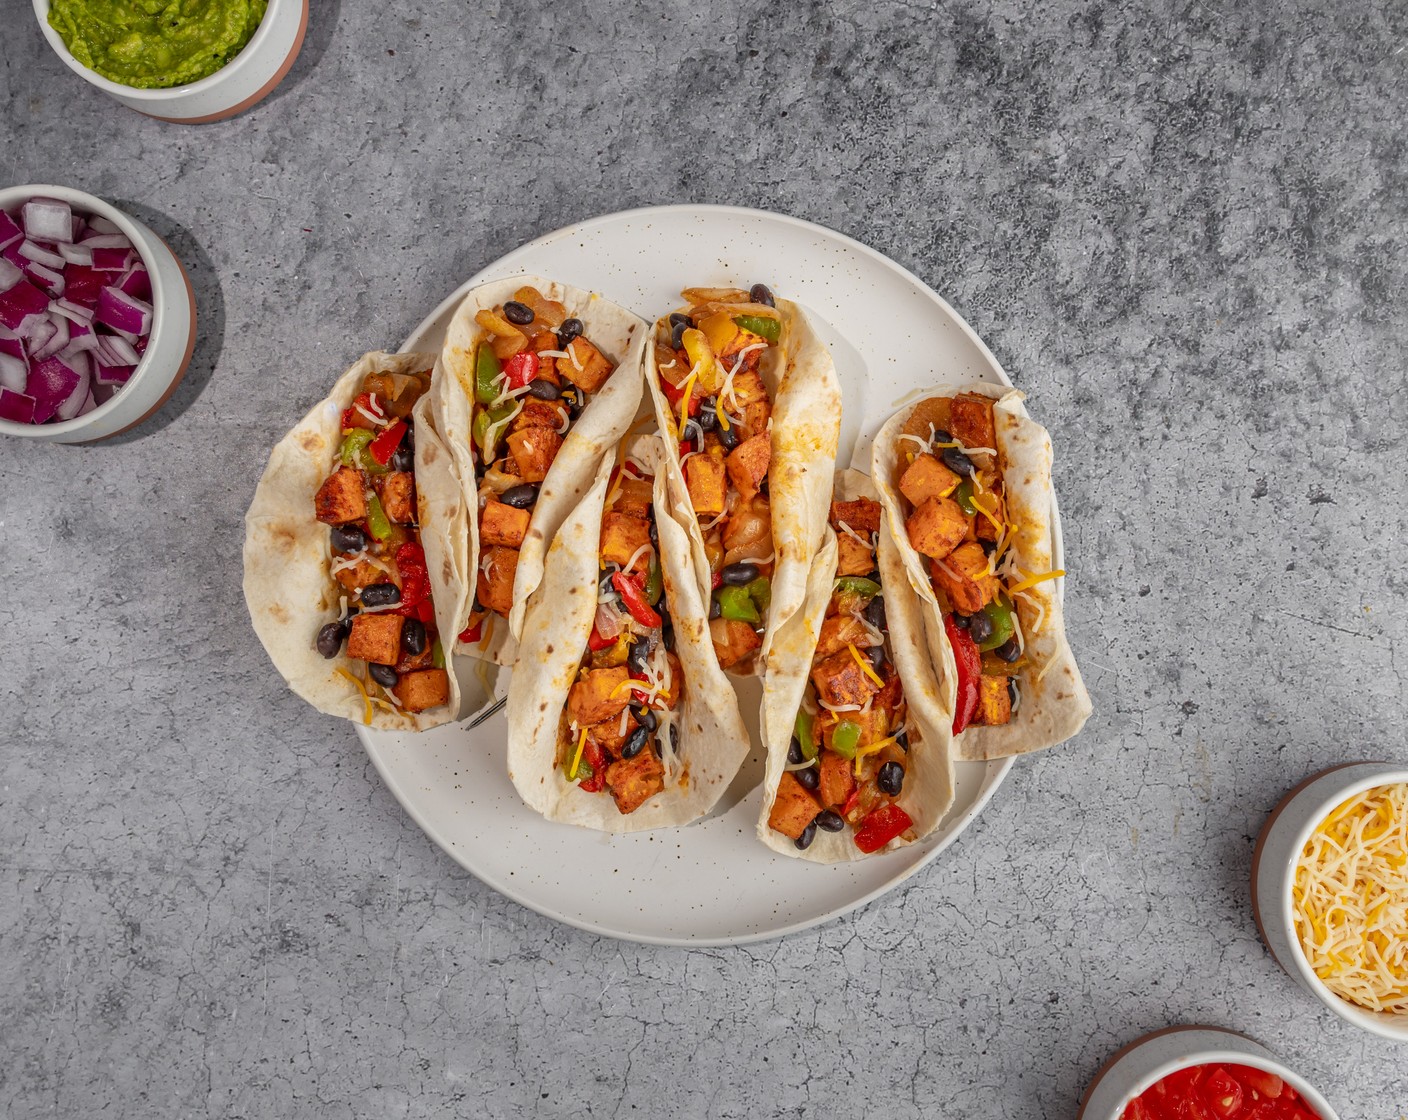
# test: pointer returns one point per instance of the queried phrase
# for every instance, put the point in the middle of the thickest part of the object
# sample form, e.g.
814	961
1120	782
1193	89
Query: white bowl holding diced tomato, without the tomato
1157	1056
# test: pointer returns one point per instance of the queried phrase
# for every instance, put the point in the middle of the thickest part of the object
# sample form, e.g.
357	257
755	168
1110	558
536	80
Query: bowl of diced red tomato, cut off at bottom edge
1200	1074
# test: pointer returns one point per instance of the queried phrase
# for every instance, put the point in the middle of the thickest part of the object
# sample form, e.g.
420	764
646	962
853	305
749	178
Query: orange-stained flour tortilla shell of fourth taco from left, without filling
806	394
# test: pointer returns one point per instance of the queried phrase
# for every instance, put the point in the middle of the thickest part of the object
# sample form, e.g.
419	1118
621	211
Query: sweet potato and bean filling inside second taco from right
850	752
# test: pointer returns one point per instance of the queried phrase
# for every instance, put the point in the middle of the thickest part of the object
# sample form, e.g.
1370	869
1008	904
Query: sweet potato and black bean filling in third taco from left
619	730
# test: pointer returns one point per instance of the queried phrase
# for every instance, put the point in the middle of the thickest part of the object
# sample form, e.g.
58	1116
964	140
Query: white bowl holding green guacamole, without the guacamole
249	78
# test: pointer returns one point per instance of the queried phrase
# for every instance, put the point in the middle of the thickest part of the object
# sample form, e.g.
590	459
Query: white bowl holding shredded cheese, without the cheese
1274	876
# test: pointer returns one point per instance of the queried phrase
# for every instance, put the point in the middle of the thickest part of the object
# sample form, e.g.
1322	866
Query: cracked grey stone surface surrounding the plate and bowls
1181	226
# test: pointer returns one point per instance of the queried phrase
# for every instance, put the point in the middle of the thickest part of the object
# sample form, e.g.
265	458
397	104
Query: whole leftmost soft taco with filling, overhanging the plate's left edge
351	566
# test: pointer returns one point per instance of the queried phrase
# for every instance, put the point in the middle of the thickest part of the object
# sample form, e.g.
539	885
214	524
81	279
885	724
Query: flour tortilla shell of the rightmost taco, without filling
1057	707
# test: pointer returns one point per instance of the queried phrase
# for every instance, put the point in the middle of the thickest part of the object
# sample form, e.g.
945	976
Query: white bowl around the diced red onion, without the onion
168	347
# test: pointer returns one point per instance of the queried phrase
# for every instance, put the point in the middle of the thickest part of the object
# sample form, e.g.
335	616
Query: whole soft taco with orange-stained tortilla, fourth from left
750	404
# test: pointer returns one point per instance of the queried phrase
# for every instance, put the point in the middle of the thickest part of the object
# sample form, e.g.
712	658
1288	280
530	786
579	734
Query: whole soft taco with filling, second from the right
860	749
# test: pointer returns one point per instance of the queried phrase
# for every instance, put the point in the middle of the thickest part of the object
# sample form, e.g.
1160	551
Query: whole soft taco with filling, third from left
619	718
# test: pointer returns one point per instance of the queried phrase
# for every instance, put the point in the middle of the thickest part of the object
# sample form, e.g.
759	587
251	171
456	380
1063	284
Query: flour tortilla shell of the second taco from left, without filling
609	416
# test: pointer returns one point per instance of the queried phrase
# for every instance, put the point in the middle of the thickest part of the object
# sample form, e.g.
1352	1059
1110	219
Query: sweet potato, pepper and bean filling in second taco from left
534	374
